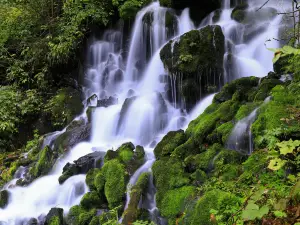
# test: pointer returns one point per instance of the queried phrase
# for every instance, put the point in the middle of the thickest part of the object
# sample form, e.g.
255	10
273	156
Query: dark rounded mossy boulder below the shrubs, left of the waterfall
64	106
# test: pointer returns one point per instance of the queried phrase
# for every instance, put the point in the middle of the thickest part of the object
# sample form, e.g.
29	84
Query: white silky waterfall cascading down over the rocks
141	113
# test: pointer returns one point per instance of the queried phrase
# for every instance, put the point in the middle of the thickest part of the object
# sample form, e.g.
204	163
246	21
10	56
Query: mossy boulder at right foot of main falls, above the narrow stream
168	144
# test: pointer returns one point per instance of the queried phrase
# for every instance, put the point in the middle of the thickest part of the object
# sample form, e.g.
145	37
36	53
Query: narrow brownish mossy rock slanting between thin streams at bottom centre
138	191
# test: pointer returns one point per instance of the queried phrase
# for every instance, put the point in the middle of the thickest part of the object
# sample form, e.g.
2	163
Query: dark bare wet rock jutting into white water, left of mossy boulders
81	166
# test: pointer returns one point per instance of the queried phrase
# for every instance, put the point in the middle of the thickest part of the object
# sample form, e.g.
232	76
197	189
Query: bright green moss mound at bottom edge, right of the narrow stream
174	201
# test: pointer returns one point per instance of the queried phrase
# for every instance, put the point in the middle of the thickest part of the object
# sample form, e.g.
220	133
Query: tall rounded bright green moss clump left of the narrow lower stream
115	178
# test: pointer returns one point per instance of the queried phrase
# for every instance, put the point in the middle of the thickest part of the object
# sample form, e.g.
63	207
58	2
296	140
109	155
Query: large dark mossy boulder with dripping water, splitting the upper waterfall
197	60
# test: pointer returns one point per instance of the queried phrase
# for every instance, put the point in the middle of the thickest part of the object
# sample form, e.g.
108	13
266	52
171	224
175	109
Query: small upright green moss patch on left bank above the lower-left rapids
45	162
